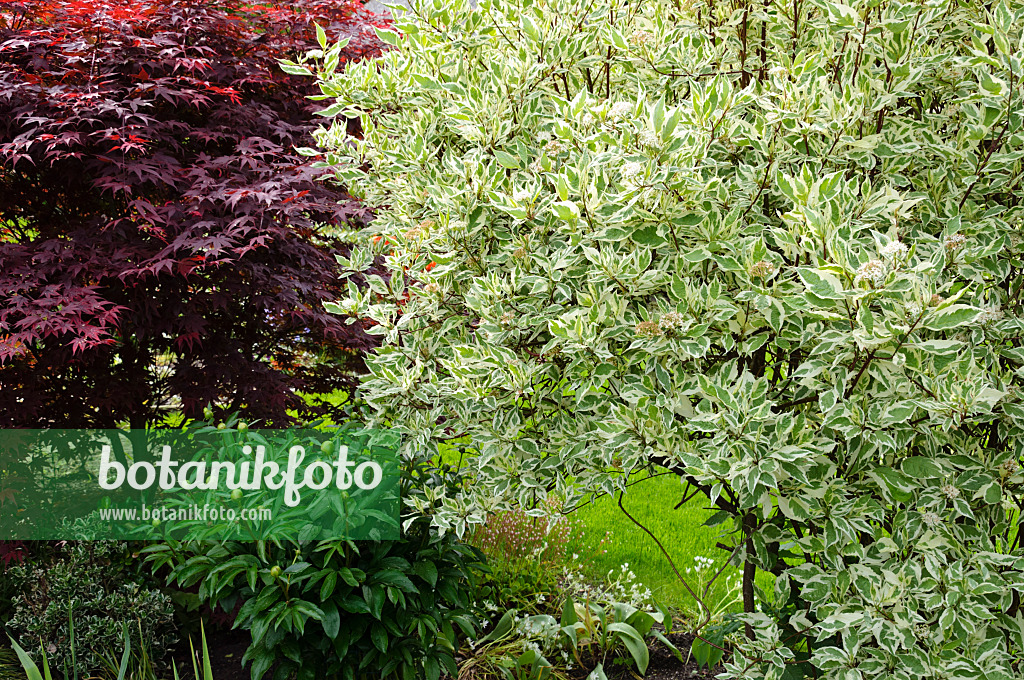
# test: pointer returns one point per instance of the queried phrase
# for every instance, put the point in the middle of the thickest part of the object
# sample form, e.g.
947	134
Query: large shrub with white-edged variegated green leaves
775	248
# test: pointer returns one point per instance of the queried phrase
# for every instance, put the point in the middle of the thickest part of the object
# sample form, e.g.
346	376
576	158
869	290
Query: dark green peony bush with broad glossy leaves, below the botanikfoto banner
342	609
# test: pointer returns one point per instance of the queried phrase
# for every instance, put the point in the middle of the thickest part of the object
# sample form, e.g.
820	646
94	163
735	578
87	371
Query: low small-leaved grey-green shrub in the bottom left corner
94	586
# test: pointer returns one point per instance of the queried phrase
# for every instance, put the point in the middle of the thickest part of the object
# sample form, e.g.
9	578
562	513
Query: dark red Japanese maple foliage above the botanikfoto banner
161	243
